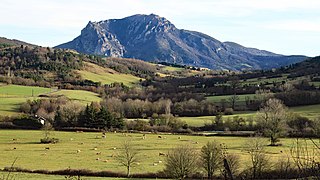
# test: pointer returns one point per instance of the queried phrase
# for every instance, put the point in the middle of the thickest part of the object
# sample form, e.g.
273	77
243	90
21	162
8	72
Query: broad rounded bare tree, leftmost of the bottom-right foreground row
181	162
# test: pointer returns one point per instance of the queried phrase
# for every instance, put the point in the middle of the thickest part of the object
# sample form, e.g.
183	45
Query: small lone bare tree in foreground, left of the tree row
128	156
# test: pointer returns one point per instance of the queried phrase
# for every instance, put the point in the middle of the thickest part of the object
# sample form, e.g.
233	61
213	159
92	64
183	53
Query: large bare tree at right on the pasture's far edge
272	119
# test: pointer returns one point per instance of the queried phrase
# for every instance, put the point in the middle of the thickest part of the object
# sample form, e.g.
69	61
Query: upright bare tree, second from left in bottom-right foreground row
211	158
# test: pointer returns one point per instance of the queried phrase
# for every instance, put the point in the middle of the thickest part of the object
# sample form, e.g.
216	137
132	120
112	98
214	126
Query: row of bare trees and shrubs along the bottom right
184	162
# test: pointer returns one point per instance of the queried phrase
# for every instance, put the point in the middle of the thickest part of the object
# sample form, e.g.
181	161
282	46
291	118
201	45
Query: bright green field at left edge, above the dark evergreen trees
12	96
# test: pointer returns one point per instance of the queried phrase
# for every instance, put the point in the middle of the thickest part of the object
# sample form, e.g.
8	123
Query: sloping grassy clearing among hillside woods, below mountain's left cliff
107	76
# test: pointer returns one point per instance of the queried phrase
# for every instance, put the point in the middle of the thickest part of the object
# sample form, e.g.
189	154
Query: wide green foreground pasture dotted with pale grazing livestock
96	153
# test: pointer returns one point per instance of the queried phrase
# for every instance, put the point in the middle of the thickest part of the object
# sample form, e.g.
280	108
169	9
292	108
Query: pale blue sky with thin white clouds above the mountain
281	26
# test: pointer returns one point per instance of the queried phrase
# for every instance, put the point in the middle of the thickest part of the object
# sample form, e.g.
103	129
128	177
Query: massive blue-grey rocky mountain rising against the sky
154	38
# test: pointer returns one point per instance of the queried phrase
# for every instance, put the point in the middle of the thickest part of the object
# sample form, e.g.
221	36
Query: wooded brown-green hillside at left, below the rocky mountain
36	65
